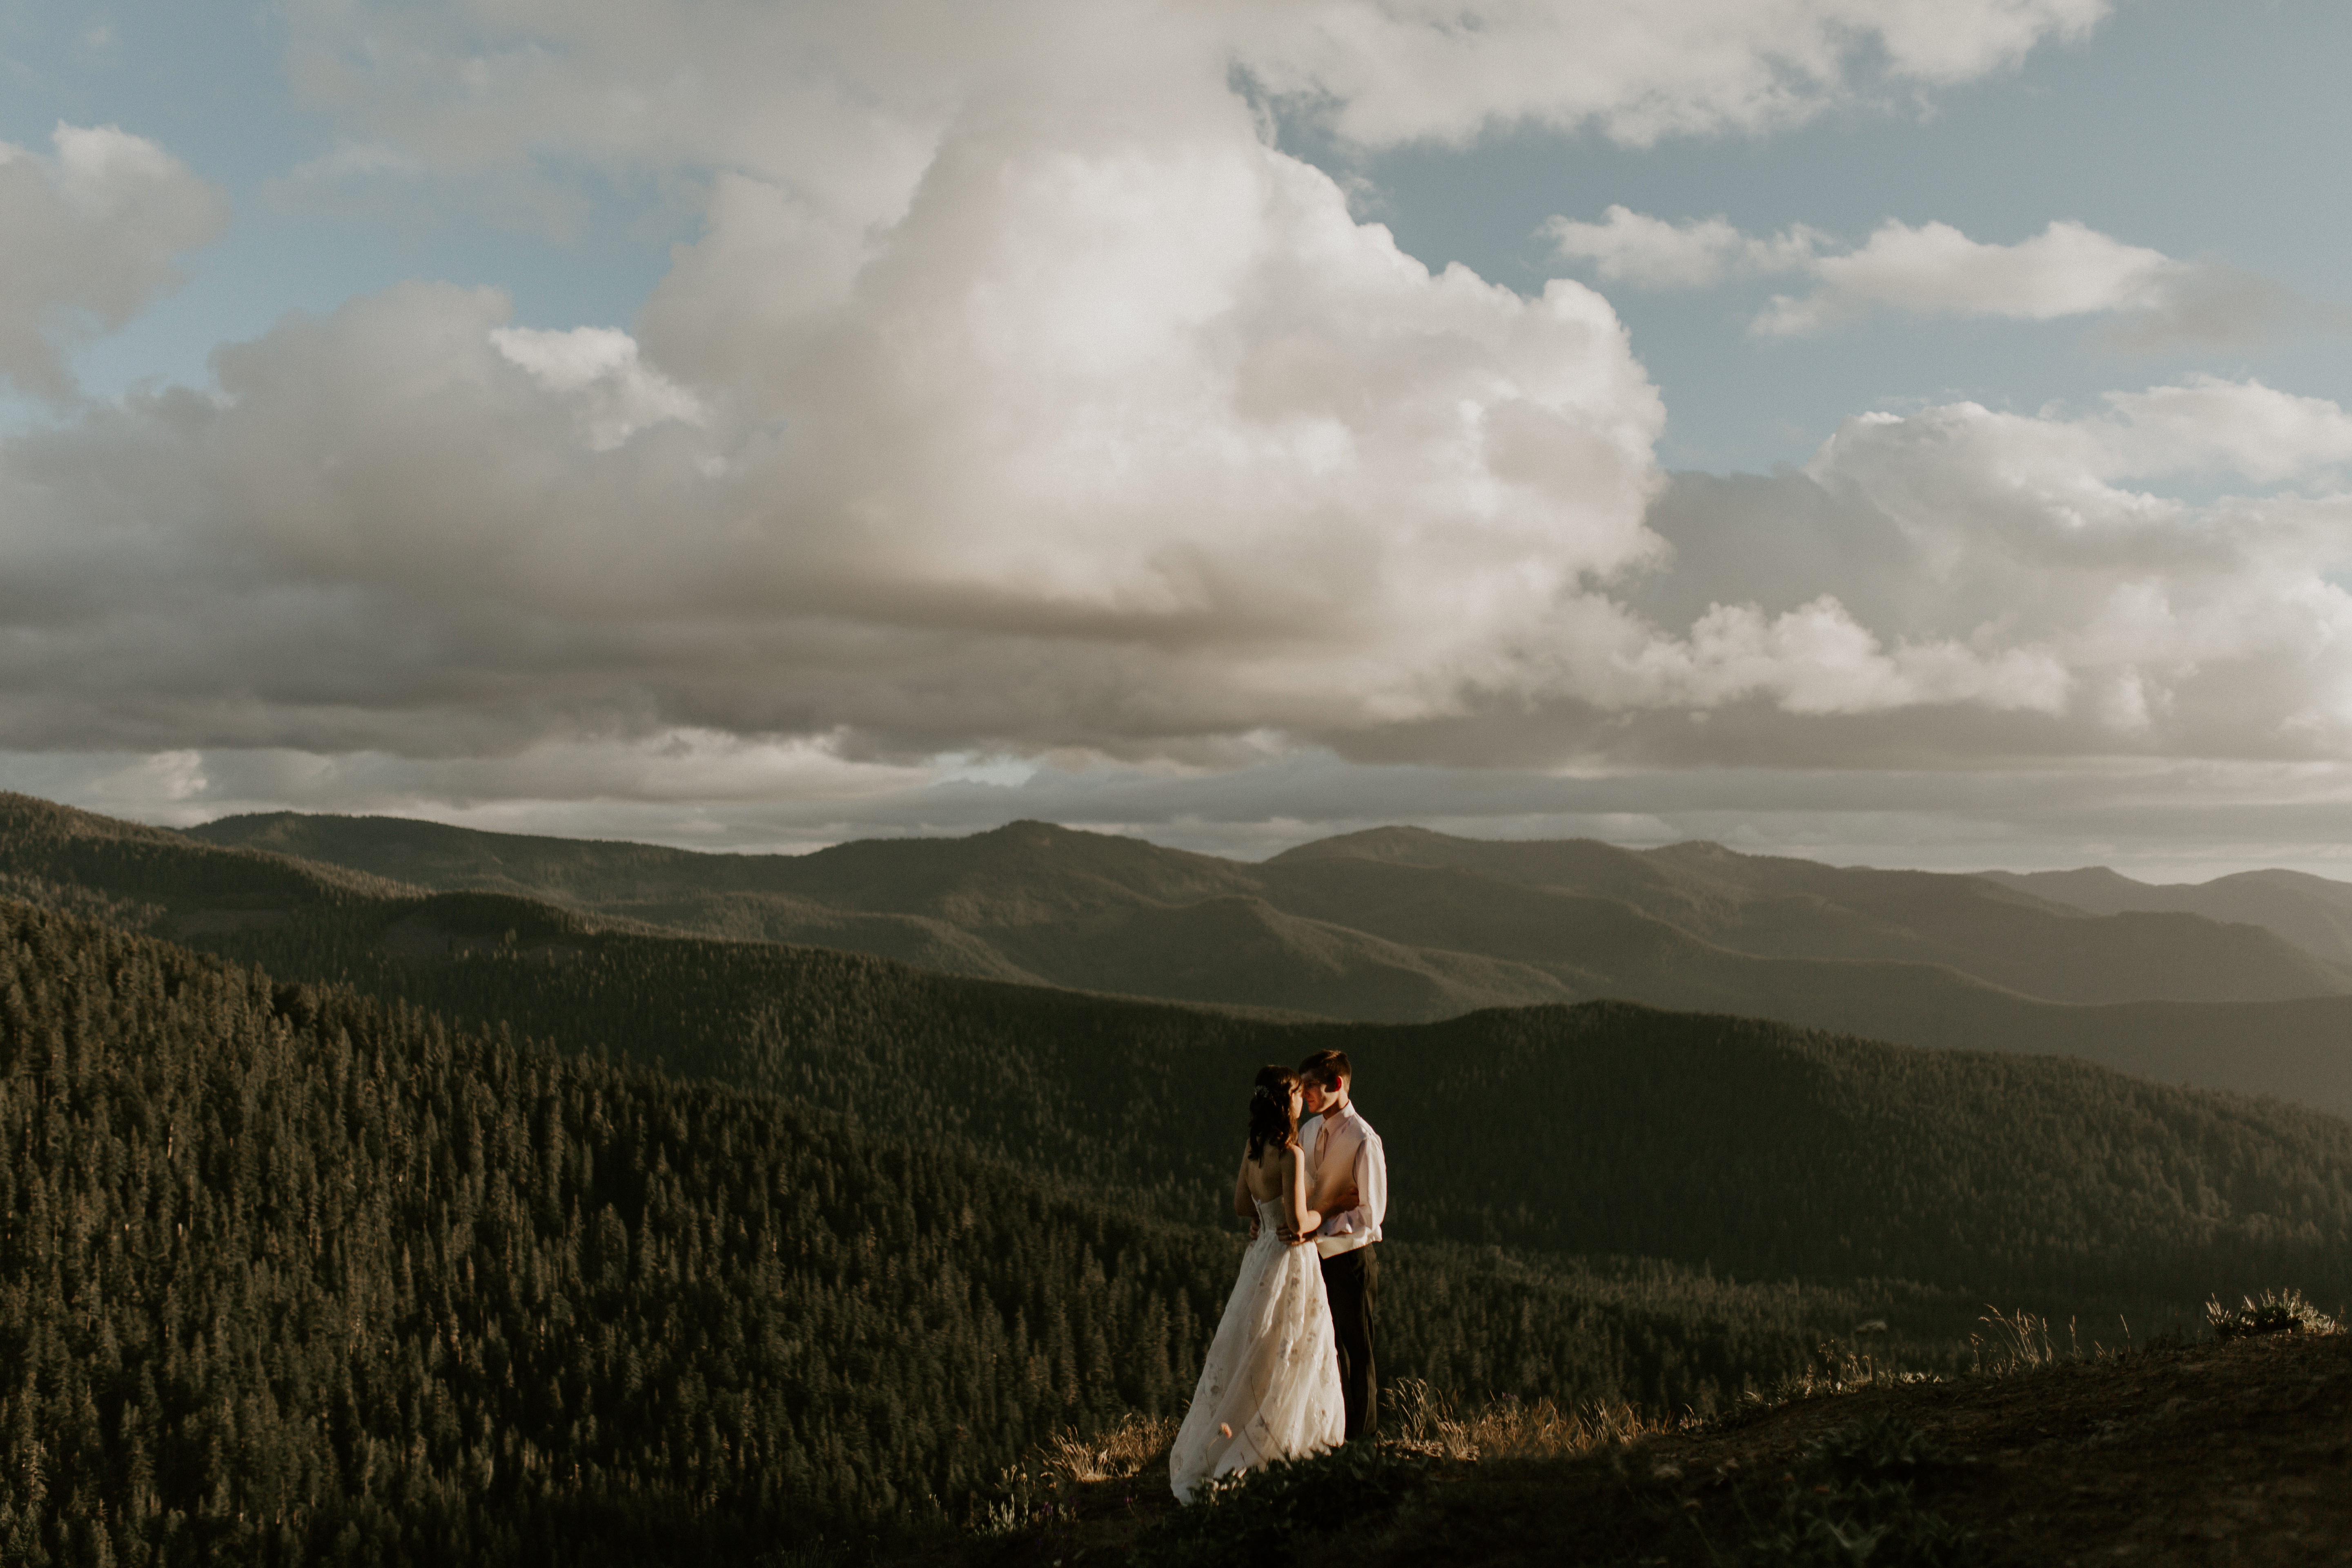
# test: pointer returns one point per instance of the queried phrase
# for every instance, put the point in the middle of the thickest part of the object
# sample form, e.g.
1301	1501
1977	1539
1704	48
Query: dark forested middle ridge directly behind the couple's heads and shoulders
1591	1130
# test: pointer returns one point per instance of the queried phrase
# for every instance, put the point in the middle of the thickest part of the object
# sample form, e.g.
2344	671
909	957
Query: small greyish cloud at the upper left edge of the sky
88	236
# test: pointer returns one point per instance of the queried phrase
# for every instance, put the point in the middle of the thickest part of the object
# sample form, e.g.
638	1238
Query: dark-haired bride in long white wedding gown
1271	1386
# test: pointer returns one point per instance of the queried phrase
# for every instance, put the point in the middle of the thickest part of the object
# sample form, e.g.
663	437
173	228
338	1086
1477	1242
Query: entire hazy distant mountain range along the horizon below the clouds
1391	925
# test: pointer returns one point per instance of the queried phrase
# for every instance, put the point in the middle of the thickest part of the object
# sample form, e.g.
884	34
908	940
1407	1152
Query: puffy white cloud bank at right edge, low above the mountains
2151	624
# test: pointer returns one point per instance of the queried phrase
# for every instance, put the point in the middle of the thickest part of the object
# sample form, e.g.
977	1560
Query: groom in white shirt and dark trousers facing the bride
1349	1184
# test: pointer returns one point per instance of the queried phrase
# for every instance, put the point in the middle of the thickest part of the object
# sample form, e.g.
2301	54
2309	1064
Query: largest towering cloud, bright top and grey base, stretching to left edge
1316	485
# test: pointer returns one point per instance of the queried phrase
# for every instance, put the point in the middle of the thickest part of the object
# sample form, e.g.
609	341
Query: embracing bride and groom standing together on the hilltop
1290	1369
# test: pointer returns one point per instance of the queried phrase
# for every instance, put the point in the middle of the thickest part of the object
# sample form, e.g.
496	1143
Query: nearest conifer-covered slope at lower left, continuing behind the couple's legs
293	1275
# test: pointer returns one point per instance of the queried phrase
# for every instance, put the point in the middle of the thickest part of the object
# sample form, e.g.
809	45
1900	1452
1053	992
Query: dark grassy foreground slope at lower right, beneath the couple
2226	1452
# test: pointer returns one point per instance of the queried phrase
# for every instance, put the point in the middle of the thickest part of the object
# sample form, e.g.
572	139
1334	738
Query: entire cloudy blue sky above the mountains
1885	431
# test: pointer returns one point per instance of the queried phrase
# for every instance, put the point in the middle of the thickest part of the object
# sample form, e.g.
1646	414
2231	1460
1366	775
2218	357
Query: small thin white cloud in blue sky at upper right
1935	269
